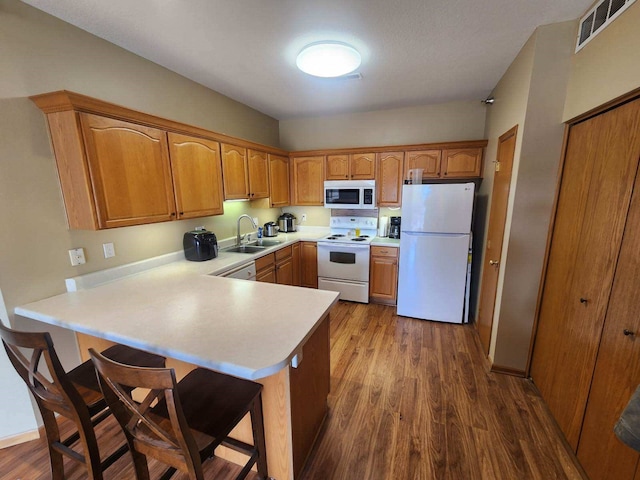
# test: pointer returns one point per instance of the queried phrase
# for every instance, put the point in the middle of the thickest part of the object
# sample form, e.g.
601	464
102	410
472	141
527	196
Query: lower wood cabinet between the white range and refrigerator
383	275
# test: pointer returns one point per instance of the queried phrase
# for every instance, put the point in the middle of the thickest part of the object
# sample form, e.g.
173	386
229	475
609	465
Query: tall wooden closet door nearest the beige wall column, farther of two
597	179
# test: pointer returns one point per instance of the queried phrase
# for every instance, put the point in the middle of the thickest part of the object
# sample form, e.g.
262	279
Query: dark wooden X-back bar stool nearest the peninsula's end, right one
190	419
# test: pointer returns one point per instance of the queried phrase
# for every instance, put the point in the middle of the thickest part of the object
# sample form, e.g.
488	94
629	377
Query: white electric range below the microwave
343	257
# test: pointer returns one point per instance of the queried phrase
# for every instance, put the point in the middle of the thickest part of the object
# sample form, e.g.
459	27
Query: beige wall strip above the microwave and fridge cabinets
422	124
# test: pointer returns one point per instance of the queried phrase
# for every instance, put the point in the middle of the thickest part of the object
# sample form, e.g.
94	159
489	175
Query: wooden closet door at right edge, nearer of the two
617	372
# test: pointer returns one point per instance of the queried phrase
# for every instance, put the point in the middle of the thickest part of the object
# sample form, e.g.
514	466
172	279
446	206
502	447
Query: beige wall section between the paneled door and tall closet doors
532	193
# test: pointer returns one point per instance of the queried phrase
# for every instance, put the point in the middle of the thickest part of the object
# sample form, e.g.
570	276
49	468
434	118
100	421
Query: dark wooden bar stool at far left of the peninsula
75	395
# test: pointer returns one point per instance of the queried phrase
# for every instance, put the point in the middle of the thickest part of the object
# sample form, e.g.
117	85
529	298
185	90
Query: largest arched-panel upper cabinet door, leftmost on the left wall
130	172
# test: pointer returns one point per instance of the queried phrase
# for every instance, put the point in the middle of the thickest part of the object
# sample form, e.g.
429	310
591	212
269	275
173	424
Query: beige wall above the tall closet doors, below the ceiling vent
607	67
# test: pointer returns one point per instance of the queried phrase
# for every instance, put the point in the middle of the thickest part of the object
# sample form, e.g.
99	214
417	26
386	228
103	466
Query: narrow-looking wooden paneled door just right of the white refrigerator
495	236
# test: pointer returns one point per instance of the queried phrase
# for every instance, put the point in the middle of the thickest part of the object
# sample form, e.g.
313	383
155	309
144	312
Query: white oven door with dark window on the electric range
343	261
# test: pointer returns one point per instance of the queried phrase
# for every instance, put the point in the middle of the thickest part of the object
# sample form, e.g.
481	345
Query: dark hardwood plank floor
409	400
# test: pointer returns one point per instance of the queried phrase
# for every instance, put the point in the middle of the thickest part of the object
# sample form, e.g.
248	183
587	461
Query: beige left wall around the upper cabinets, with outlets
39	53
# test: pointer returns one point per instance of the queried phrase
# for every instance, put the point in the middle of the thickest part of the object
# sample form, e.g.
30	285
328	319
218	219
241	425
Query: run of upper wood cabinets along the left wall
119	167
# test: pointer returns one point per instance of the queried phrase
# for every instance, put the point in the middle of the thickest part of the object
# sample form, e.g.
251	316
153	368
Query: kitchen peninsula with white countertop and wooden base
274	334
